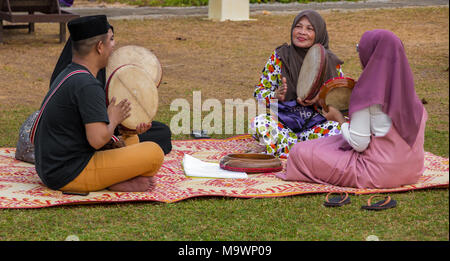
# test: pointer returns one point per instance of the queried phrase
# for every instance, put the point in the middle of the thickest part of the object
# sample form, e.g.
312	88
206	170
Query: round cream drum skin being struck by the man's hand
135	84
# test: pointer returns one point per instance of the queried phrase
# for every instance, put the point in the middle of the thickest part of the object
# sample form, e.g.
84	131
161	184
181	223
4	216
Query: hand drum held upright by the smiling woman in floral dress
312	73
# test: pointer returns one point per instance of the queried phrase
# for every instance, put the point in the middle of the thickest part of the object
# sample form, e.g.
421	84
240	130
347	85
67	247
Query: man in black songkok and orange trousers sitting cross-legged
75	123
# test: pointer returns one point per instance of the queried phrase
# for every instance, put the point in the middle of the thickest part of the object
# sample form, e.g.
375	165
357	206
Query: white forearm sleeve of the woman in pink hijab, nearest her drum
357	132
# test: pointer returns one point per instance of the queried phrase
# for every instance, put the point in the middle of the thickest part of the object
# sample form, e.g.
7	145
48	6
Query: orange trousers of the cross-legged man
110	167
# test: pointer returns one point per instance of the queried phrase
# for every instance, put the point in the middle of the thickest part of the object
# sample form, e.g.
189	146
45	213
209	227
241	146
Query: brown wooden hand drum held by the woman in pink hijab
336	92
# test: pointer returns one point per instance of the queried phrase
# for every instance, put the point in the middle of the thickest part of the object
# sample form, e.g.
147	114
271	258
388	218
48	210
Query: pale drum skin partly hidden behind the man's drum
140	56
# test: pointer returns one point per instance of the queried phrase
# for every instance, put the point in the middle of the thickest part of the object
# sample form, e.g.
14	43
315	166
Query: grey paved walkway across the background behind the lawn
161	12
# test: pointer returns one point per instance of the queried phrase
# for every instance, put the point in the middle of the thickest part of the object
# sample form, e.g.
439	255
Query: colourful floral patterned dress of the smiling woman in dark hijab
273	134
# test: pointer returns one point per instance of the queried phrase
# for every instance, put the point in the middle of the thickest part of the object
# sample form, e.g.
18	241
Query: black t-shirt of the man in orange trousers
62	150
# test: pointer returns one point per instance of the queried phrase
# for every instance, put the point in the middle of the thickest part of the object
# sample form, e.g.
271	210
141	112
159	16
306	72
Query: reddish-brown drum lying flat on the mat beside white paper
251	163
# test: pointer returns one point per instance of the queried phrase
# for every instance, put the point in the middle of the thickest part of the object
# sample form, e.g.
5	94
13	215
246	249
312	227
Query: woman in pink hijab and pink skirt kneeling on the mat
382	145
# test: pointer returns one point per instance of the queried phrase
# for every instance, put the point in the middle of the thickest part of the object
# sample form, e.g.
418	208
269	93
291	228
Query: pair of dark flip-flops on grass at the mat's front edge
343	199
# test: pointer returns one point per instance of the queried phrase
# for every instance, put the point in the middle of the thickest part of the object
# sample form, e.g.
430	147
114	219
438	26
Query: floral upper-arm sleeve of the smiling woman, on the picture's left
270	80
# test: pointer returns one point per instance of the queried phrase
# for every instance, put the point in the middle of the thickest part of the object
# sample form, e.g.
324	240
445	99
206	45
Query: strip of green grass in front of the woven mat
420	215
